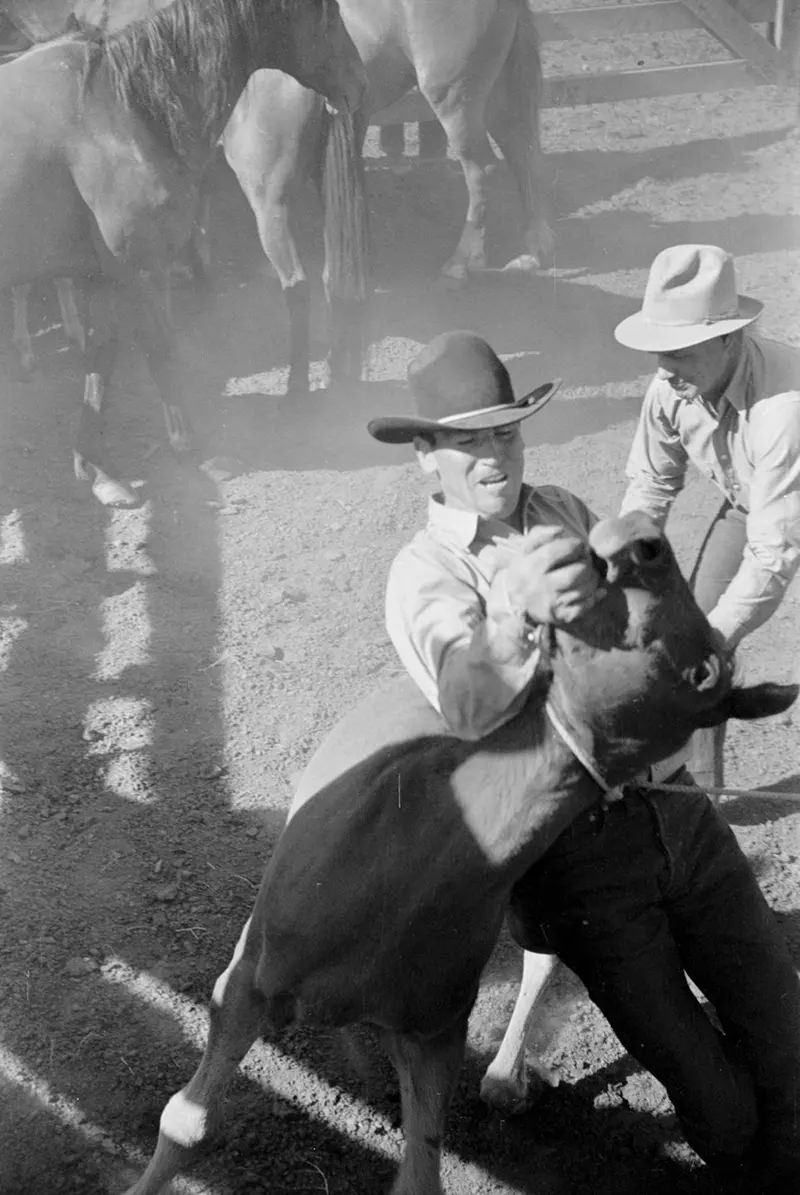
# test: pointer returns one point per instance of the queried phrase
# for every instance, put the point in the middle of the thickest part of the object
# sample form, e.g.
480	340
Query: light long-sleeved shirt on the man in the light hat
748	444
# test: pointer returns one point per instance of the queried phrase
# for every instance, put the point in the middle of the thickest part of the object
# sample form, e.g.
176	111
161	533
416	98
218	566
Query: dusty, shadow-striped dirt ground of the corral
168	671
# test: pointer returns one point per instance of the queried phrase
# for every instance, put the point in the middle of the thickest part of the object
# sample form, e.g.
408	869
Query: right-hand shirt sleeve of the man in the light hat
772	554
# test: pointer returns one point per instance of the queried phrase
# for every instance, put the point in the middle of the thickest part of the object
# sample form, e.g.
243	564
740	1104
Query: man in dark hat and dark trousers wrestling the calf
618	898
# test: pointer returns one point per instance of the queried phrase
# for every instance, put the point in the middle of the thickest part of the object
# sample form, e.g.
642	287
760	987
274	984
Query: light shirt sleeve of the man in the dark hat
474	663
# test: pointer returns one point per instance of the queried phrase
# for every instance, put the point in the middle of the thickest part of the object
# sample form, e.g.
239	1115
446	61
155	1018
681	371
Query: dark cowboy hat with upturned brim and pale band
459	382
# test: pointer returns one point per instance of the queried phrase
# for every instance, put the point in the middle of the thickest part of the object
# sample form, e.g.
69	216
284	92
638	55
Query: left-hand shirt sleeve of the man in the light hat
658	462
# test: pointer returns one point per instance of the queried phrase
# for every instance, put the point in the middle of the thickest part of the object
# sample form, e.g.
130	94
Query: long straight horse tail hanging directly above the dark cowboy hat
347	243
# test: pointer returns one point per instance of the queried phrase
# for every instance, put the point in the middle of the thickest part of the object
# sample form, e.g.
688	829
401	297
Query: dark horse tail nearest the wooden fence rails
524	89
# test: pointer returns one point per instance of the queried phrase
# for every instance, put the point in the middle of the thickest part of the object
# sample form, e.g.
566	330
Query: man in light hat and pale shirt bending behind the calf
731	406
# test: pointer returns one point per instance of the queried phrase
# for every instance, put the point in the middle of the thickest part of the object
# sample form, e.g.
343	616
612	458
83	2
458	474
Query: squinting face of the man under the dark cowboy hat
479	471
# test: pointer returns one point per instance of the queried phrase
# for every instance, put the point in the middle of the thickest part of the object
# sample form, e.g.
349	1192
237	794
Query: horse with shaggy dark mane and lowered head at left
106	138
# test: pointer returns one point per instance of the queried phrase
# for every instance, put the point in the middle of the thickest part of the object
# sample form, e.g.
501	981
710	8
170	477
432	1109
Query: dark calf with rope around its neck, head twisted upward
387	891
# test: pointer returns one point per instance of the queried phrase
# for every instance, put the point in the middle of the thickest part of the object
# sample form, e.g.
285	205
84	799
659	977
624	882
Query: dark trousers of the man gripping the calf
632	897
